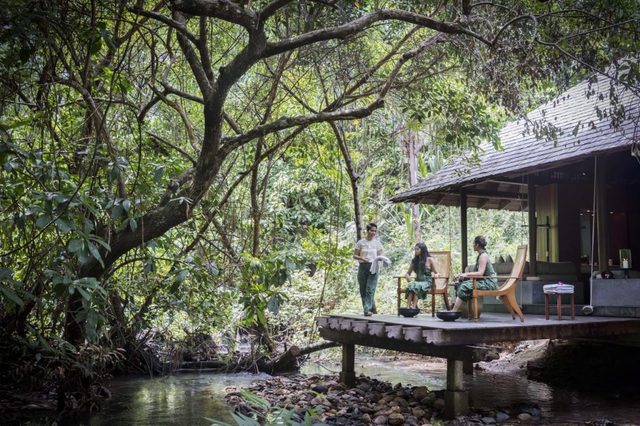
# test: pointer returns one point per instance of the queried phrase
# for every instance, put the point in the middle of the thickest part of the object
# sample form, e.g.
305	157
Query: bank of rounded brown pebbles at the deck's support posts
370	402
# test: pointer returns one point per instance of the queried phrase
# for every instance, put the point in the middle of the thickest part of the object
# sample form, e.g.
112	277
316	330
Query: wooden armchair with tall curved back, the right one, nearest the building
507	291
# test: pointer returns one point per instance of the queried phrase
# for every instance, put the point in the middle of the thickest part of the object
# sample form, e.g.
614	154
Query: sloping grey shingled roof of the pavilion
586	124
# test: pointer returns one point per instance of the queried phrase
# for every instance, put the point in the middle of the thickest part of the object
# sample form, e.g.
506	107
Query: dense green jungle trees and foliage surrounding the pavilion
180	170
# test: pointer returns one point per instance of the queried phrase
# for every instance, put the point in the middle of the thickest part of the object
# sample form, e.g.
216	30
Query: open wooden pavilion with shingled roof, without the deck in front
574	165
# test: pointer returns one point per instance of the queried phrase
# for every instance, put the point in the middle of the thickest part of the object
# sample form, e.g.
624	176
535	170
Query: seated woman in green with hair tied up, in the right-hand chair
483	272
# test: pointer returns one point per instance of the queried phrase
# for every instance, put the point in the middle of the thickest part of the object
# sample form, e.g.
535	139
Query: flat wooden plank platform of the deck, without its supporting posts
490	328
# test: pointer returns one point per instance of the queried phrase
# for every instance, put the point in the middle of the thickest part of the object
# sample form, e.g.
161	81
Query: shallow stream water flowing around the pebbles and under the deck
188	399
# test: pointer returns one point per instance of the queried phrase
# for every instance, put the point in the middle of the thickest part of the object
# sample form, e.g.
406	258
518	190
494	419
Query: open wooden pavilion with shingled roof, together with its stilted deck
574	165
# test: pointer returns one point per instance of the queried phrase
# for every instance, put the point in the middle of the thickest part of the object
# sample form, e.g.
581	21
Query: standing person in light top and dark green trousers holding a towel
367	249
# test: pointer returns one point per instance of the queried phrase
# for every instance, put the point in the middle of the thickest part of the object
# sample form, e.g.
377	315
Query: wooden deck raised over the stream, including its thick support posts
460	342
